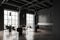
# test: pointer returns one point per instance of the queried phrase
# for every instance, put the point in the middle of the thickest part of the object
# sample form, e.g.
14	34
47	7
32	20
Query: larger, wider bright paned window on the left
10	18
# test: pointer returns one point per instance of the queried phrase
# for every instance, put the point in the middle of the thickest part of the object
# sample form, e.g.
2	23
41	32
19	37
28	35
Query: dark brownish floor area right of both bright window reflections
43	35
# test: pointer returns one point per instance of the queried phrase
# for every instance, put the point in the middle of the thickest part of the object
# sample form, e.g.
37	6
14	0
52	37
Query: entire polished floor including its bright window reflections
39	35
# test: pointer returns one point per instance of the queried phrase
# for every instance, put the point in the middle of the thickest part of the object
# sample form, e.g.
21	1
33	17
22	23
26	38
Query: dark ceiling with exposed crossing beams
35	5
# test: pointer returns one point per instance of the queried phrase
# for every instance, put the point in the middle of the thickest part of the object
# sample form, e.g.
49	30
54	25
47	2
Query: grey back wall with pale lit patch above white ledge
45	15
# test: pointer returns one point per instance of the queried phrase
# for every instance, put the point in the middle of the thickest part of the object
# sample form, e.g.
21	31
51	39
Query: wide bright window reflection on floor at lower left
12	36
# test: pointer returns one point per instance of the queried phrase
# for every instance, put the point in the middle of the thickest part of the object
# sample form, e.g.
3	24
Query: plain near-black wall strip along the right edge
56	12
